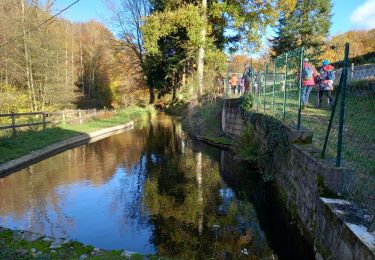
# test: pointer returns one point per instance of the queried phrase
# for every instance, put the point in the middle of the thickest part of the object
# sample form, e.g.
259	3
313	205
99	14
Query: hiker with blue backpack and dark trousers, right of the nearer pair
325	82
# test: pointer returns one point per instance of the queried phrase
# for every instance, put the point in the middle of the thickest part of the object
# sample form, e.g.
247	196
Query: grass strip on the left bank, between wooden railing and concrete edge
24	142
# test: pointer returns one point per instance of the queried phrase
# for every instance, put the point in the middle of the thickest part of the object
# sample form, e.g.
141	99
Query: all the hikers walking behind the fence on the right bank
322	80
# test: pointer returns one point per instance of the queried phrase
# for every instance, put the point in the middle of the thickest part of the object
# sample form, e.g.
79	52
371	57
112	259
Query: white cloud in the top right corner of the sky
364	15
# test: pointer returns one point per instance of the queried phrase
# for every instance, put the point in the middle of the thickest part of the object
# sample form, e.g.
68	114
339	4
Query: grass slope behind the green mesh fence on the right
359	133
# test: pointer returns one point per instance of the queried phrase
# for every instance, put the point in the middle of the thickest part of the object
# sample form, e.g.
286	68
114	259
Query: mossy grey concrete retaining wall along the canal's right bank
337	228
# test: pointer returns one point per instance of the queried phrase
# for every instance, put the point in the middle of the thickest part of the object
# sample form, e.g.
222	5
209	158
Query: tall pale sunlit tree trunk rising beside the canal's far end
201	52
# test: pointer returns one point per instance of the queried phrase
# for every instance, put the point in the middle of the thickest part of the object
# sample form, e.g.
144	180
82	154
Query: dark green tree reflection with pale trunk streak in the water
184	197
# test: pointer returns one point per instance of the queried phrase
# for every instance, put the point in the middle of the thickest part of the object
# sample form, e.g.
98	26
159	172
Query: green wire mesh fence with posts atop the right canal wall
341	118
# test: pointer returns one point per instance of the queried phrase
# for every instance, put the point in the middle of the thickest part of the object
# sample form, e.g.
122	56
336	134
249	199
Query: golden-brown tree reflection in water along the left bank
32	194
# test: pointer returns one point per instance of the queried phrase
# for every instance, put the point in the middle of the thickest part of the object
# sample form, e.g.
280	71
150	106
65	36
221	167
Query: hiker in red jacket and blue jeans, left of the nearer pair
308	81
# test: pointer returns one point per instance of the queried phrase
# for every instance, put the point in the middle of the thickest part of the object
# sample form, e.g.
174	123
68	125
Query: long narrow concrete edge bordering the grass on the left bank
61	146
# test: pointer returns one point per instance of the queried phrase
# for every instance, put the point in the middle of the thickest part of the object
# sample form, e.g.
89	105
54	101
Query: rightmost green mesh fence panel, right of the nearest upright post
359	130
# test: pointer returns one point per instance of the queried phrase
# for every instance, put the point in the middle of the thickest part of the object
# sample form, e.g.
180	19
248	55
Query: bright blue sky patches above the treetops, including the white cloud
347	14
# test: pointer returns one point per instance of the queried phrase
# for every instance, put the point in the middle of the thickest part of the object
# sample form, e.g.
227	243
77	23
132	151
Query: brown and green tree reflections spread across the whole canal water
162	178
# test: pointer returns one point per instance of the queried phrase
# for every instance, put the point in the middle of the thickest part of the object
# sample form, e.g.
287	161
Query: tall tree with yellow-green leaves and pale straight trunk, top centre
246	21
